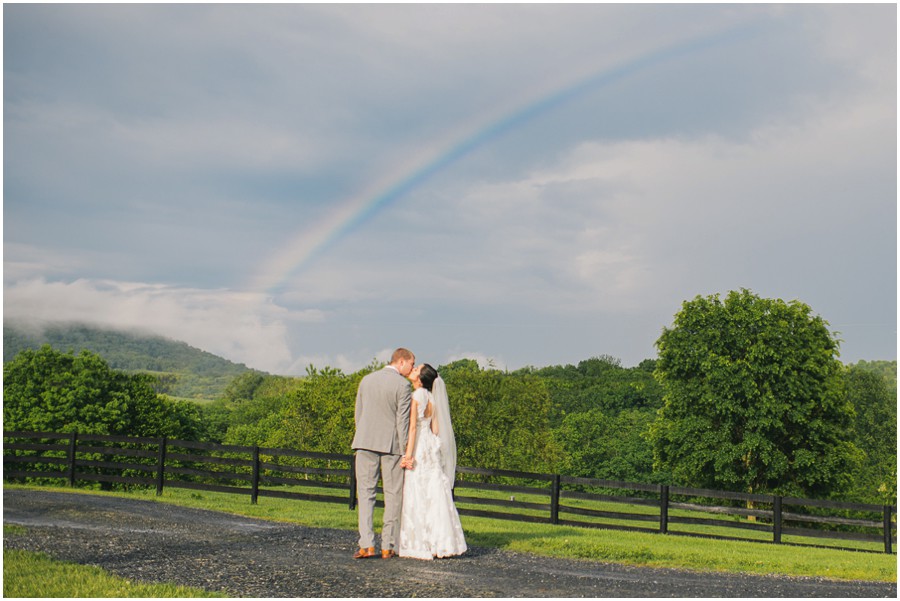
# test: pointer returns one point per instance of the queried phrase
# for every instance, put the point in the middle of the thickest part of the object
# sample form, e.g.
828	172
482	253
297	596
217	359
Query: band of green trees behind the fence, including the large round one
746	394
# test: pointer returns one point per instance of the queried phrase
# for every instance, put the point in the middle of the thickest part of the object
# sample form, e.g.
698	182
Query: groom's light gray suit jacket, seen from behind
382	412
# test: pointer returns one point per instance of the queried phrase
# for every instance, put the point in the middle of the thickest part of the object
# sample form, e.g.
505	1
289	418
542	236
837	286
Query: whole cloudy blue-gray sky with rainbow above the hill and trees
287	185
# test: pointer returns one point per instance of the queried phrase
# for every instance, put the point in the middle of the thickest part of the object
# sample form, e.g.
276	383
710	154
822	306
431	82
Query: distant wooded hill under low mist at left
183	371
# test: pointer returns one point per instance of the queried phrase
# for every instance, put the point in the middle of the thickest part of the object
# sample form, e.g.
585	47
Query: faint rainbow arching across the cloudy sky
303	248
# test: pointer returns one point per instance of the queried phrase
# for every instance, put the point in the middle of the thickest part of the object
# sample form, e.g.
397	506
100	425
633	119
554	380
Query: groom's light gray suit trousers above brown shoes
368	467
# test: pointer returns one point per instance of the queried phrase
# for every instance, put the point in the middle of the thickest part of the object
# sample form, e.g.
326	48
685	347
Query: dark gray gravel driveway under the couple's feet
245	557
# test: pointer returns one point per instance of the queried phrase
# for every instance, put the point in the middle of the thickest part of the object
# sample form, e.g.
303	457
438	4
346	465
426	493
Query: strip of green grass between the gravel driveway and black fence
634	548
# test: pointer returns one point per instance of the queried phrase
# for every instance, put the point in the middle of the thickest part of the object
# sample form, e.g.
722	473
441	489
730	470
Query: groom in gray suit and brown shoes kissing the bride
382	429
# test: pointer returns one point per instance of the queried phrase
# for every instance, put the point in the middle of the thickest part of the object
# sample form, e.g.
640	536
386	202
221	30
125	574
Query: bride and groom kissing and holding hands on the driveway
405	438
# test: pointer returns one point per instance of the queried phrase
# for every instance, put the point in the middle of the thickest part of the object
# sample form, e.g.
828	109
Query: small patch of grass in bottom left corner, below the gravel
28	574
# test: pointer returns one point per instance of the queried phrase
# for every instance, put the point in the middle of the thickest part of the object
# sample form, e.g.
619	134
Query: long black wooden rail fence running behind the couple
542	498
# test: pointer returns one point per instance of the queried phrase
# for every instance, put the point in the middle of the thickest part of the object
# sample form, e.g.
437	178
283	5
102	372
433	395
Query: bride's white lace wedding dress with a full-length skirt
429	522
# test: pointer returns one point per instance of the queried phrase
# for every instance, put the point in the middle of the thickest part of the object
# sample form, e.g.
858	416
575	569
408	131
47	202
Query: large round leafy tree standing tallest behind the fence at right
754	398
